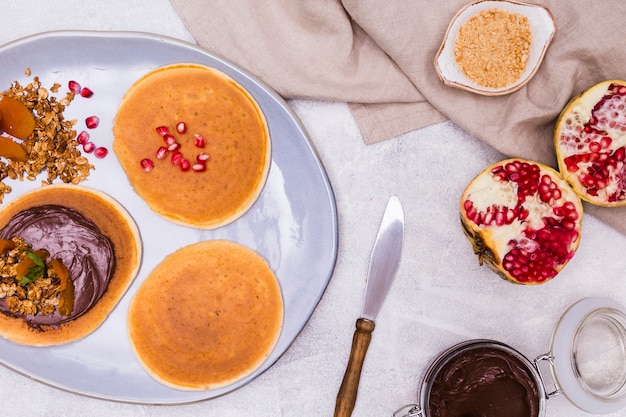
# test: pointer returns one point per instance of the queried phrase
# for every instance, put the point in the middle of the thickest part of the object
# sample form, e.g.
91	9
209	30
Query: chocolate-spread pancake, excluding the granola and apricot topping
97	241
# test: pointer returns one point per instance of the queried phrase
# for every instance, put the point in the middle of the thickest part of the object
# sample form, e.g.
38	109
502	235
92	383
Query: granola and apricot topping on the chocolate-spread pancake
41	296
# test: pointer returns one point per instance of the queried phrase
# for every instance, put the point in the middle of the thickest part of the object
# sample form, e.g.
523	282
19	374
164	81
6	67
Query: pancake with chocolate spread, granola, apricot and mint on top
67	255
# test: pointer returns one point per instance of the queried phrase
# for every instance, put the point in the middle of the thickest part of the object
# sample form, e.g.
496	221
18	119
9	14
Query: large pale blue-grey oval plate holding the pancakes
293	224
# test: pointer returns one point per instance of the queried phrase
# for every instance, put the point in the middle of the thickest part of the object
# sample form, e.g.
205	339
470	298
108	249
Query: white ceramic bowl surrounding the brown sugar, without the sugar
542	26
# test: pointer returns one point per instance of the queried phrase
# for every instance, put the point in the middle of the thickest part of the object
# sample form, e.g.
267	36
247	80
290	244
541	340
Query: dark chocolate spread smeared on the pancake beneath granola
78	243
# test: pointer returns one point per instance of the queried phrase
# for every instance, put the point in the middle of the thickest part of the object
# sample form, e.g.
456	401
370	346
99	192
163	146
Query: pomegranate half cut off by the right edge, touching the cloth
590	142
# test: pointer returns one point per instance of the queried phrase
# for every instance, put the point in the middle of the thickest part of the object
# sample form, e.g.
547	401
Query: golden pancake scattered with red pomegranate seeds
213	106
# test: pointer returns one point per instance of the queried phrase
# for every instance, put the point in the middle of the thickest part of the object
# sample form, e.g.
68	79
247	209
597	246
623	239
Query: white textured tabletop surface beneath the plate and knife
441	296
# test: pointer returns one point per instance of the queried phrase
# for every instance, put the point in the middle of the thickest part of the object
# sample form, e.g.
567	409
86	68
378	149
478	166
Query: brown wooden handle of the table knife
346	398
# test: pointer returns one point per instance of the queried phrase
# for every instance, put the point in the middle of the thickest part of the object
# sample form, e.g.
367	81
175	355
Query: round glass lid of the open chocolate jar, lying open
589	350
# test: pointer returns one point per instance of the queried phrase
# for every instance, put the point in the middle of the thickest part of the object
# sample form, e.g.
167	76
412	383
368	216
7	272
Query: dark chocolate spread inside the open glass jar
484	382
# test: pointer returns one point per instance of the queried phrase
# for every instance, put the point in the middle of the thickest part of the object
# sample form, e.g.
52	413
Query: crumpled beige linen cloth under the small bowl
378	56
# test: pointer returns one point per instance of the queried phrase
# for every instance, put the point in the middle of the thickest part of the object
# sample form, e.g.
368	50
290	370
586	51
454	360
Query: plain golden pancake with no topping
208	315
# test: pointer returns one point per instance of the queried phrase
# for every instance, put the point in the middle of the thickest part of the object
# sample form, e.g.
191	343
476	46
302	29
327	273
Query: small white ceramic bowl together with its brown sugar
501	79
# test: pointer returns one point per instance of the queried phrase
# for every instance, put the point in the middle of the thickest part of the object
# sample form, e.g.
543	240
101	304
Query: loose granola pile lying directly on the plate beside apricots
52	146
